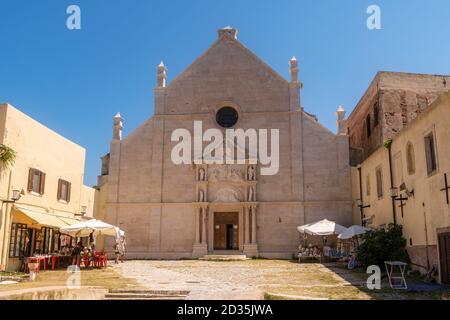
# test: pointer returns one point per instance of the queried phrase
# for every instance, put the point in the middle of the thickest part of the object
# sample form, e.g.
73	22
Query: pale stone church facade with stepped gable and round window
172	211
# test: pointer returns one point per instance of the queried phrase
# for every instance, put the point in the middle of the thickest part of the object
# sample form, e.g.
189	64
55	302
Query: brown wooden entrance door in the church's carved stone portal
226	231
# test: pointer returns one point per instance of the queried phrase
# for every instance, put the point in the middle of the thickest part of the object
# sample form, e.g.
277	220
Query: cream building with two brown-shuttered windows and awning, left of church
49	169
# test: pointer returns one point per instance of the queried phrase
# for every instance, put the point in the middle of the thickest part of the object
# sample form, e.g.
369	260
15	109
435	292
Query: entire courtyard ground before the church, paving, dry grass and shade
250	279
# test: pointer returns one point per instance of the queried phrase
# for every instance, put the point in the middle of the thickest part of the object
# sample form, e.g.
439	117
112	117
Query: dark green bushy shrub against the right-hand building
385	244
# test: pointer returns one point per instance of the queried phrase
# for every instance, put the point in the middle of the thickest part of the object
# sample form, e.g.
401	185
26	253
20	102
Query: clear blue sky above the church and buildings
75	81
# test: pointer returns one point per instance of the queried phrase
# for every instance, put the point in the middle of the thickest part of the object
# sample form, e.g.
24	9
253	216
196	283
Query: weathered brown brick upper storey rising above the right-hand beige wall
400	98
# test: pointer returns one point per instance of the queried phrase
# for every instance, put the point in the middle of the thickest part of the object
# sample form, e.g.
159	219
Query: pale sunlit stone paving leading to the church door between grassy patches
225	280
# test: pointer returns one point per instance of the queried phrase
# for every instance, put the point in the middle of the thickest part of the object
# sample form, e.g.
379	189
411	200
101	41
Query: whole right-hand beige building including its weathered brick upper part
405	181
